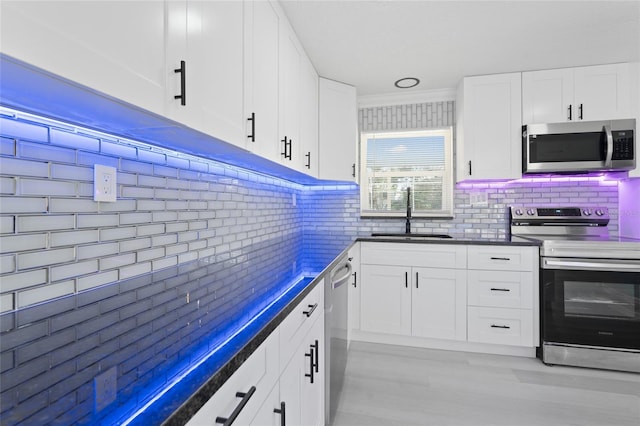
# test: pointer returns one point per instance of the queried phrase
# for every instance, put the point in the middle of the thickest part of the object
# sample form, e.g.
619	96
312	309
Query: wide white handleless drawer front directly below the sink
421	255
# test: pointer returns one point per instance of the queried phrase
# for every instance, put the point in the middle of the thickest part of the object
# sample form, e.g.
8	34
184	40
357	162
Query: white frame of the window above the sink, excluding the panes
447	173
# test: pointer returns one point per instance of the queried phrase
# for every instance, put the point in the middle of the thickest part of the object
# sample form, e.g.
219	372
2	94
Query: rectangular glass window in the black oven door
599	299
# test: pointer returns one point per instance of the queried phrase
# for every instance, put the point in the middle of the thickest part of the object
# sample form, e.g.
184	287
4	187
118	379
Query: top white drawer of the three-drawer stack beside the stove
504	258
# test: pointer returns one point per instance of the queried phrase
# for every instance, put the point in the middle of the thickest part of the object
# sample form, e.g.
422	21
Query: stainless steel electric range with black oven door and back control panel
589	287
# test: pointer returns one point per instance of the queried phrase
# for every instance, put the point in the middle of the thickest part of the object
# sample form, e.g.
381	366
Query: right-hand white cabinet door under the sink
439	303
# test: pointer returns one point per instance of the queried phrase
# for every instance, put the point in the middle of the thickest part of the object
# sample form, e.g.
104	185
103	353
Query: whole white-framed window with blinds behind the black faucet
391	162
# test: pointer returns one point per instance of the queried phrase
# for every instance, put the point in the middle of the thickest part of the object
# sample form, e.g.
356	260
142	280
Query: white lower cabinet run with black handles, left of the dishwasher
278	384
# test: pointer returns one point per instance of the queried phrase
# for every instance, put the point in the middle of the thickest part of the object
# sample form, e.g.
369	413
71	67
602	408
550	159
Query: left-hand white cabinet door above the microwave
547	96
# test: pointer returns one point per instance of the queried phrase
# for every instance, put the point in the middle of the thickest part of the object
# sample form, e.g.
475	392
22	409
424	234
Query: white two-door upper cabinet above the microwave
575	94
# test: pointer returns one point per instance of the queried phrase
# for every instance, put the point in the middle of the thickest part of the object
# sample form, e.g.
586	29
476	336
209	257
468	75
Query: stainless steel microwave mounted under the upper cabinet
575	147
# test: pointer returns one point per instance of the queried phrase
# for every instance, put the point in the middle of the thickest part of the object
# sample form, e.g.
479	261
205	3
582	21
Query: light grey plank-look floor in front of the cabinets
395	385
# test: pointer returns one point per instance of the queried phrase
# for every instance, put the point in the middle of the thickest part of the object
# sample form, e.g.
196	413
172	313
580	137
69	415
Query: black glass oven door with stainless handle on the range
592	302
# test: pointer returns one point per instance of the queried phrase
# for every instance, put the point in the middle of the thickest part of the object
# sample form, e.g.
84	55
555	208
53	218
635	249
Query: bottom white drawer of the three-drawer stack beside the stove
500	325
